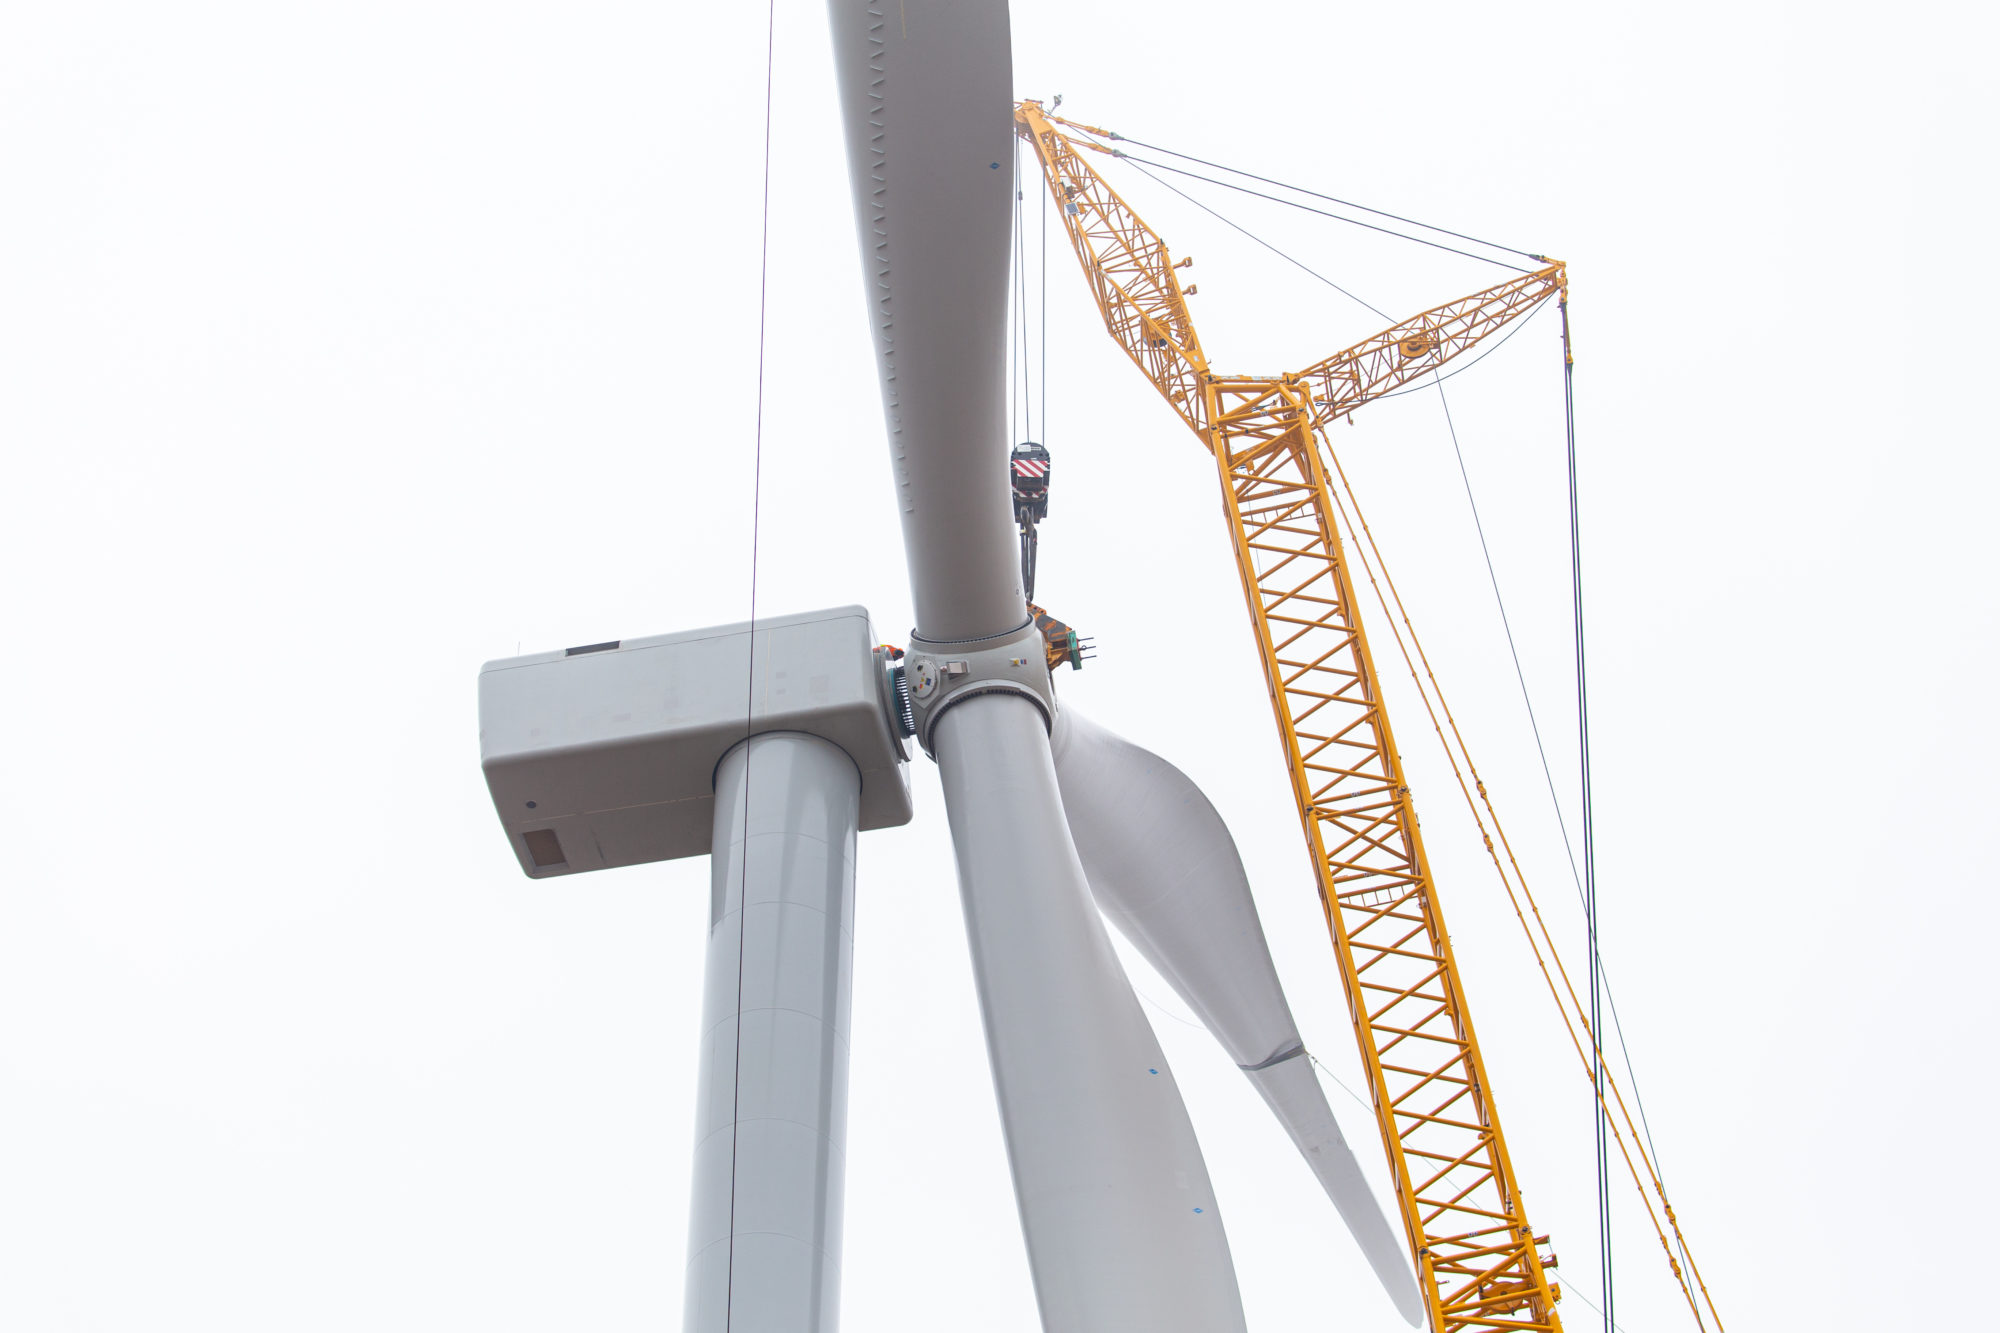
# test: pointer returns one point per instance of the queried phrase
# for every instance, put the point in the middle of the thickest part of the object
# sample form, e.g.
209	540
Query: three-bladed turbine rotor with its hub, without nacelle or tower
1117	1210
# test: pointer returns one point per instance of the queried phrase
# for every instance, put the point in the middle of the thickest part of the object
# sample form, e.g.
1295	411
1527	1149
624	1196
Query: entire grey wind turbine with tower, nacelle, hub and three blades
771	746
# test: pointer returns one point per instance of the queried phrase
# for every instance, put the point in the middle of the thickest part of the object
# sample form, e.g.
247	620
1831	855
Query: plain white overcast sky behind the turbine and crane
349	347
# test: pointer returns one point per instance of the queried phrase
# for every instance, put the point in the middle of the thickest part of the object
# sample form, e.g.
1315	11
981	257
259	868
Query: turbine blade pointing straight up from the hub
929	109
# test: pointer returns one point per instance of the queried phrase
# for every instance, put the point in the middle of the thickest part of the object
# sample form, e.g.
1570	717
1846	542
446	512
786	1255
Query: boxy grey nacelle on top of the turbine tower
605	756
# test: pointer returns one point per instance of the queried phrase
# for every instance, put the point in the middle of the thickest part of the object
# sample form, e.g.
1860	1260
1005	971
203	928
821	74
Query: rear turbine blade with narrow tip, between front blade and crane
1165	870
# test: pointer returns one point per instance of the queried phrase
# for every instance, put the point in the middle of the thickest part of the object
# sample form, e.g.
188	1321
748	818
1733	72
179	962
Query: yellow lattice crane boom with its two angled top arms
1479	1262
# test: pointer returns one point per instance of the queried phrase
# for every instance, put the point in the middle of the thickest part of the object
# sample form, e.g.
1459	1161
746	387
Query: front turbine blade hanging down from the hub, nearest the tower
1115	1200
